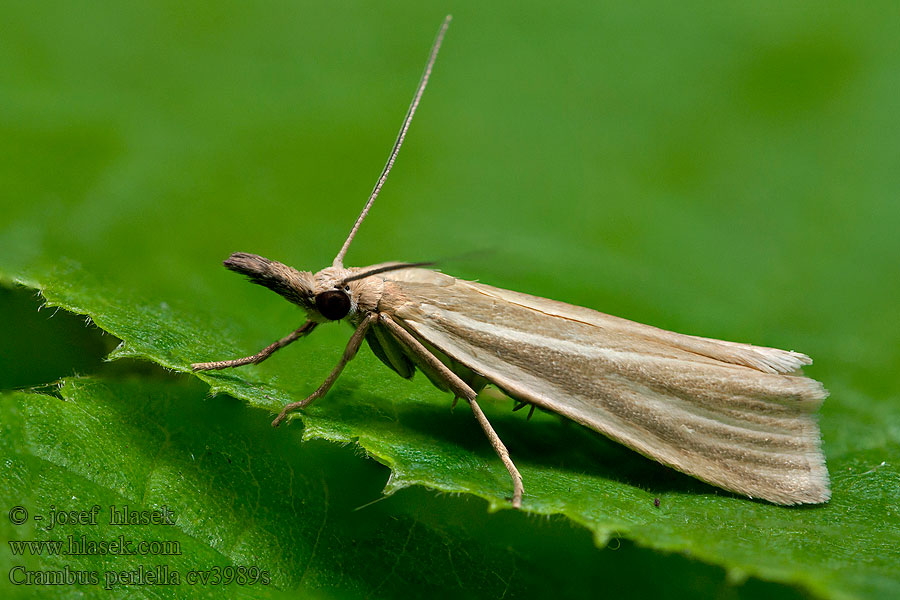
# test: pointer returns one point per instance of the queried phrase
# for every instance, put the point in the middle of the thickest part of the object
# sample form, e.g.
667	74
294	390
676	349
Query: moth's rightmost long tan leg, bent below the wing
460	389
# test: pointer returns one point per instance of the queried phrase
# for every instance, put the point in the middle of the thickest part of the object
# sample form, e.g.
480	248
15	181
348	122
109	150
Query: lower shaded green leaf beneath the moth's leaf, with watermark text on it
302	517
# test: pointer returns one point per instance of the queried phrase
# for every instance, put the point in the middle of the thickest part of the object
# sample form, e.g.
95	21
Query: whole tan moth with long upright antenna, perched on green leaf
737	416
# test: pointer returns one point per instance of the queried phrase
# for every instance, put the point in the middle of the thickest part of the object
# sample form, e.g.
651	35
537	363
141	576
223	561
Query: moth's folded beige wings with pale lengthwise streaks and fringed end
729	414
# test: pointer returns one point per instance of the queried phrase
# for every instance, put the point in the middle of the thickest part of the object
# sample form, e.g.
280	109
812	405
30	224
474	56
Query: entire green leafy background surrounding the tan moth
729	172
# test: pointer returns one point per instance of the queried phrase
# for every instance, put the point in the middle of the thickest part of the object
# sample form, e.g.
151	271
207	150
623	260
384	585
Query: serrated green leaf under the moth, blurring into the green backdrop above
730	175
